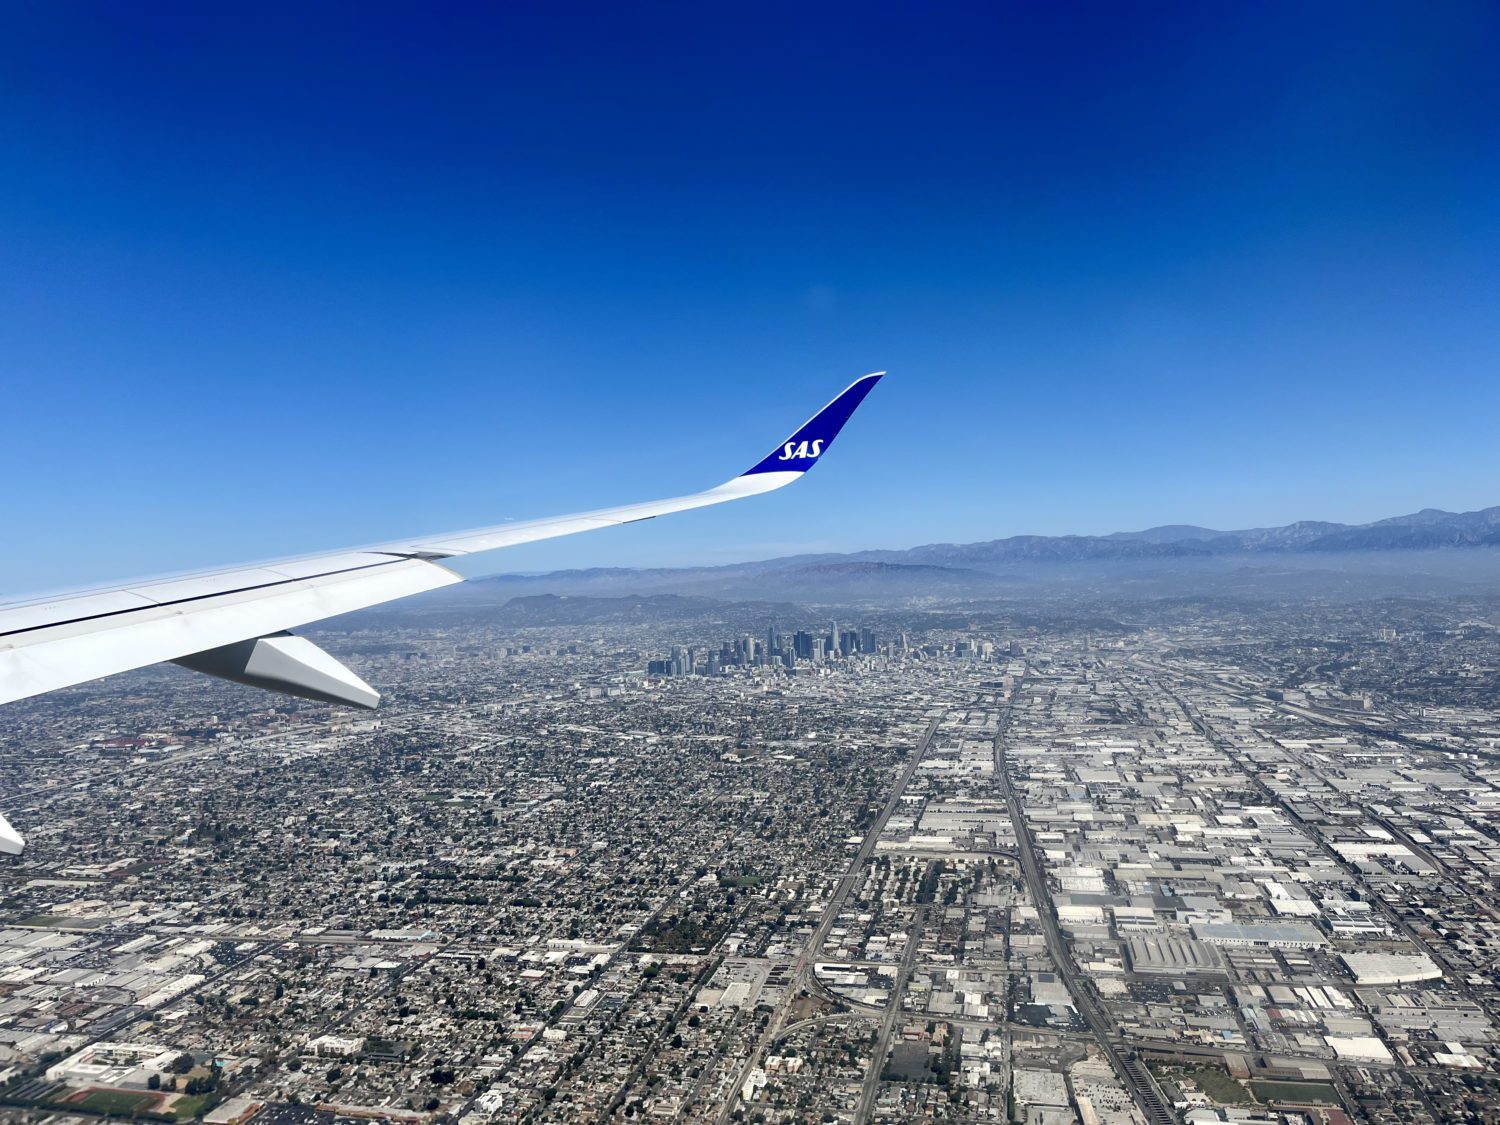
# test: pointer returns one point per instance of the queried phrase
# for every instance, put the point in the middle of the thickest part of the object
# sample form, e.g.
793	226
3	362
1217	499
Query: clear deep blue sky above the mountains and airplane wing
286	280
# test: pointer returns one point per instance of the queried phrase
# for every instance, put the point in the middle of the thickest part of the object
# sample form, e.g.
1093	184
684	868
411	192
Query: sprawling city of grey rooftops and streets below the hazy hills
1189	865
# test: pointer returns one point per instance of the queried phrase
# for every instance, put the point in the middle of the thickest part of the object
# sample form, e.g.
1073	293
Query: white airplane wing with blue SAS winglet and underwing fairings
199	620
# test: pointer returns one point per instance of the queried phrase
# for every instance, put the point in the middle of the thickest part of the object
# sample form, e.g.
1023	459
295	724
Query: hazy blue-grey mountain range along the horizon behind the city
1405	554
